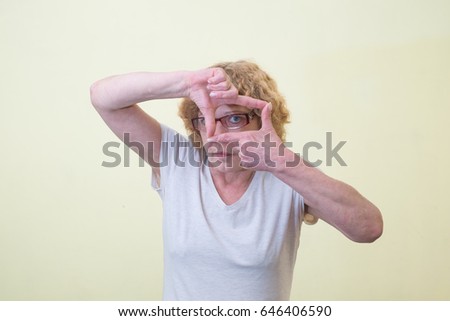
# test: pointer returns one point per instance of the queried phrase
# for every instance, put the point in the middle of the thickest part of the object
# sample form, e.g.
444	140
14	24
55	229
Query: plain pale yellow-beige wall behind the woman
374	73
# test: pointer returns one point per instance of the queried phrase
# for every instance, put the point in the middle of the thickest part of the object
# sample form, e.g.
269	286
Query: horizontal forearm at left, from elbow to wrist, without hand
125	90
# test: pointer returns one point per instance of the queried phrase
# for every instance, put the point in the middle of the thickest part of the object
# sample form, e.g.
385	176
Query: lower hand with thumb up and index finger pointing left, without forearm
258	149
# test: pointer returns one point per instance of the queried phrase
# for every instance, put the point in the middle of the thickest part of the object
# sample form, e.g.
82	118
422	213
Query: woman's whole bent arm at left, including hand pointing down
116	98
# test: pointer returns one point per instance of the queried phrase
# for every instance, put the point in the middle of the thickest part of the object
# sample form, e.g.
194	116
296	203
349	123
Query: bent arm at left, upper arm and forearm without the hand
116	98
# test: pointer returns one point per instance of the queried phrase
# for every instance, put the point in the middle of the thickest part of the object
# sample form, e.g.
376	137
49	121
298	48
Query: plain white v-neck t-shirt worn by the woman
213	251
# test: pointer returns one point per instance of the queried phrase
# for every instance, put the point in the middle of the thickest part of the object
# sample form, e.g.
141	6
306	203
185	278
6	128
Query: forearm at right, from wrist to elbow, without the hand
331	200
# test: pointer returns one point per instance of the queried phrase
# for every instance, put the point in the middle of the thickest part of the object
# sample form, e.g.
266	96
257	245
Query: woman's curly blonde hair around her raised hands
250	80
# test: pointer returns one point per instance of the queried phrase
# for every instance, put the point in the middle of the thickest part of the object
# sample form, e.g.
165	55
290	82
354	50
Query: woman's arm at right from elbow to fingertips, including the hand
331	200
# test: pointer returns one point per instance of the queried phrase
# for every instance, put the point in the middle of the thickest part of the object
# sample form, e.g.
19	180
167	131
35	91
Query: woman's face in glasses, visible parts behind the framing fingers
225	157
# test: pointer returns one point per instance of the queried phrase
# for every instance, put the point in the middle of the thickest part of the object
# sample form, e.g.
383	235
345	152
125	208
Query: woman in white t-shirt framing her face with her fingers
234	196
